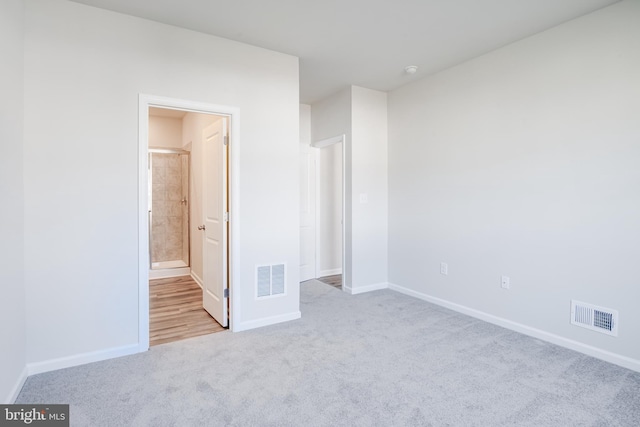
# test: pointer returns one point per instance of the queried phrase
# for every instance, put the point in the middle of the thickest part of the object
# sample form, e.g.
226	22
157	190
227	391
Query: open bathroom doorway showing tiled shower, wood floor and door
187	188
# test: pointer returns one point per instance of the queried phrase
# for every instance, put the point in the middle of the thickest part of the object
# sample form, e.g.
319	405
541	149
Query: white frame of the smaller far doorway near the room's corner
319	145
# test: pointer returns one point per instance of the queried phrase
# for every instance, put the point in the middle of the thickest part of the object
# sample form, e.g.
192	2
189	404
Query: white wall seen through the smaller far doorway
329	210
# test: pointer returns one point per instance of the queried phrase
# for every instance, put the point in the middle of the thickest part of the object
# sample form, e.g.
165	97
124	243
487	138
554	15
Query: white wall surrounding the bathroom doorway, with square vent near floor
81	178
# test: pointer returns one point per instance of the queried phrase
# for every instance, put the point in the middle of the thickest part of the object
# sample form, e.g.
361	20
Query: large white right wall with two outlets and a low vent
524	162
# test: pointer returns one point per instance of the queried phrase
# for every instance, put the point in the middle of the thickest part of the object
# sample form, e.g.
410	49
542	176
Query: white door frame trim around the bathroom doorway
233	114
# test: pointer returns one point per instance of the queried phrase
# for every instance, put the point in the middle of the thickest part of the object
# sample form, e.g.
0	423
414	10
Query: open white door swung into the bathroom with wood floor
214	251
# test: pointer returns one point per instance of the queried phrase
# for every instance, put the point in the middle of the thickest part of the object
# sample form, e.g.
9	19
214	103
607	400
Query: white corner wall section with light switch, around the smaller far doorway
361	115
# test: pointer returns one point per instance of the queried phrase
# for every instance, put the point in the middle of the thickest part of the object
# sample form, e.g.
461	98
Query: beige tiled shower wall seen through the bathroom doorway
169	210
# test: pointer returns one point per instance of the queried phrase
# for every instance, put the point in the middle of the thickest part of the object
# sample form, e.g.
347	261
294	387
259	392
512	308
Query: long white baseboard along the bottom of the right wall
598	353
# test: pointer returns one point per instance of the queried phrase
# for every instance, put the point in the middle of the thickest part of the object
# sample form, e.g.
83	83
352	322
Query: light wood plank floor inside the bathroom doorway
175	311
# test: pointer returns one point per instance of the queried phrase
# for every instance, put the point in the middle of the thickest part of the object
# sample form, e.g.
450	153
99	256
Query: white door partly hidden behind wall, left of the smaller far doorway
307	212
